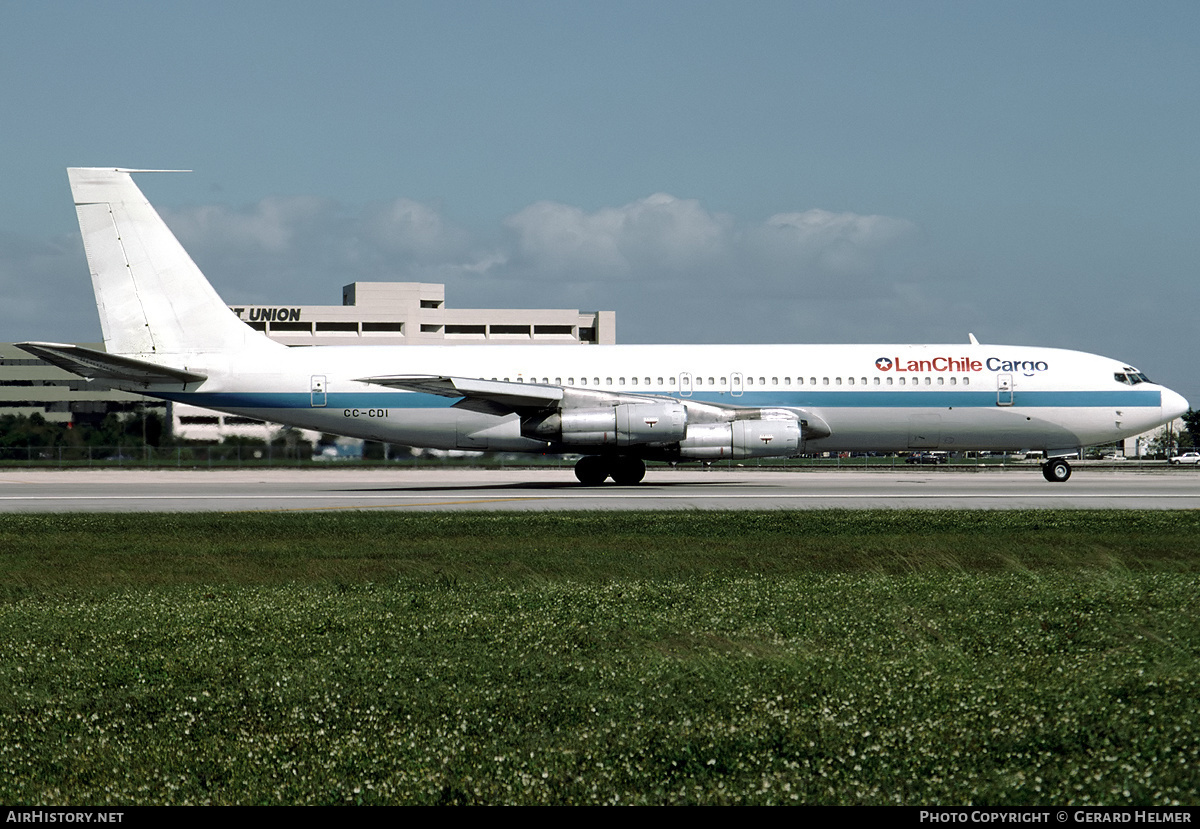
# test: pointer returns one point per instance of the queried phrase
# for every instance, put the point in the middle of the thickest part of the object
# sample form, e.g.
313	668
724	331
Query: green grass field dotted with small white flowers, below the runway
829	657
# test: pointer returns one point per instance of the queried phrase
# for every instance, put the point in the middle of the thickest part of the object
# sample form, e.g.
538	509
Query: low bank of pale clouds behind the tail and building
671	268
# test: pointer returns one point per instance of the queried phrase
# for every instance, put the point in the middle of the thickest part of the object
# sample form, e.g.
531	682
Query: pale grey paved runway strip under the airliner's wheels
550	489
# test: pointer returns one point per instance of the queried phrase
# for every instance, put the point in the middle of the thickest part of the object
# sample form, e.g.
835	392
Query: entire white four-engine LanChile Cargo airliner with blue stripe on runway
170	335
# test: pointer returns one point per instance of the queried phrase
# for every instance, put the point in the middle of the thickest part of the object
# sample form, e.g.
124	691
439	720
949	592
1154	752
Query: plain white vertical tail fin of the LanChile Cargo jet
153	299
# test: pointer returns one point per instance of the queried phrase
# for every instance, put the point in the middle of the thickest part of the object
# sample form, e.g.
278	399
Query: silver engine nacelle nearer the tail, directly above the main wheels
622	425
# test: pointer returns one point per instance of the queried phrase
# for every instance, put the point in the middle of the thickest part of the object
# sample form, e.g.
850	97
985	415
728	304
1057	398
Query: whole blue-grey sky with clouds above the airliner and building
742	172
